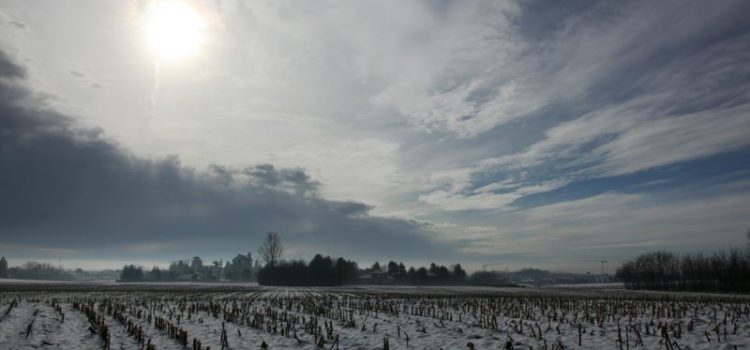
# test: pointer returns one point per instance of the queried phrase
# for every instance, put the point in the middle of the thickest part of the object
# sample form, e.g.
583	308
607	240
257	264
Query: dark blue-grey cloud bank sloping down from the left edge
66	187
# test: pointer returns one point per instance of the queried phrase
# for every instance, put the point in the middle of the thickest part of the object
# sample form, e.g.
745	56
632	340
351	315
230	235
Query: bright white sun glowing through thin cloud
174	30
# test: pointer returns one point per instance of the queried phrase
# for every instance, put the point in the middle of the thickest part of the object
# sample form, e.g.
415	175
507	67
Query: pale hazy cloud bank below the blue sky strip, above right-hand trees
601	226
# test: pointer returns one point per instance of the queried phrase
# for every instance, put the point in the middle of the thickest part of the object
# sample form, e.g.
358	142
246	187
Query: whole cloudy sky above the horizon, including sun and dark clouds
517	133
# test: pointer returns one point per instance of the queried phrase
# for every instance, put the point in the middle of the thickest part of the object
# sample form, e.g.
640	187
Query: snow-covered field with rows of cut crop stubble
246	316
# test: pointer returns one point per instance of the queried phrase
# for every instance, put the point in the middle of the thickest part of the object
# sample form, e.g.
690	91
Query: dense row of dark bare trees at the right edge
724	271
